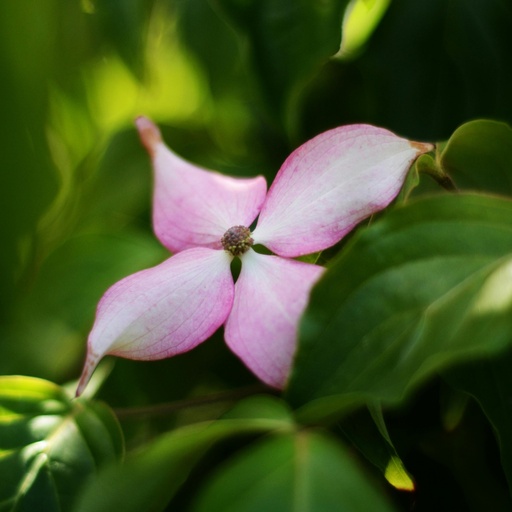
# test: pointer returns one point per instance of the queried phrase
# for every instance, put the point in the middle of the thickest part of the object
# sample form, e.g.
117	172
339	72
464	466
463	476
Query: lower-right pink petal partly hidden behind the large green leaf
270	296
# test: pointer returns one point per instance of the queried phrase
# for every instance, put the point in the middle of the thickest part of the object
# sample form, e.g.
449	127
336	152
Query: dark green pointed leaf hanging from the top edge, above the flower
287	41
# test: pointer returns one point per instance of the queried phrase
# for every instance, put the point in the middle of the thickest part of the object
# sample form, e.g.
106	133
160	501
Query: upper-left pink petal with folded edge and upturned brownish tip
193	206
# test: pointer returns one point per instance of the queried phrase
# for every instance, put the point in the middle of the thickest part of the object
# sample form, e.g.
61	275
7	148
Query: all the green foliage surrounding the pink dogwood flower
412	317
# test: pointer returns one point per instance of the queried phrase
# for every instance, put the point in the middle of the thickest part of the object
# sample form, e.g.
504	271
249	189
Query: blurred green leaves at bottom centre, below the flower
285	470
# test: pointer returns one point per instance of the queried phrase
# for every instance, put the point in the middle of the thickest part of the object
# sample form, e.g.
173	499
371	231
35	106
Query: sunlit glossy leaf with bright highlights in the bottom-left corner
49	444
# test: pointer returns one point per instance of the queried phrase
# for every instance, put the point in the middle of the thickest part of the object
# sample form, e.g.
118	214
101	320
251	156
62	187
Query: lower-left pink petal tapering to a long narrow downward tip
164	310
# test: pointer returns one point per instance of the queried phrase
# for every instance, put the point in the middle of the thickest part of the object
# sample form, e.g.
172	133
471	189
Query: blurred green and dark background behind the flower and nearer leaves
235	85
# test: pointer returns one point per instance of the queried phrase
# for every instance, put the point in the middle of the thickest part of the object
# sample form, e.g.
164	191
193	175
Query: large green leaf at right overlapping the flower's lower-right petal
427	286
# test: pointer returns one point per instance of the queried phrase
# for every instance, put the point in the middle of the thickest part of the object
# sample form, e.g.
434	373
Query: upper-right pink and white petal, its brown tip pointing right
331	183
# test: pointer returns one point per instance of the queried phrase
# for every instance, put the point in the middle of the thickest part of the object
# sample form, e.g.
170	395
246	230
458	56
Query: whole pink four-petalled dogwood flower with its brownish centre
322	191
